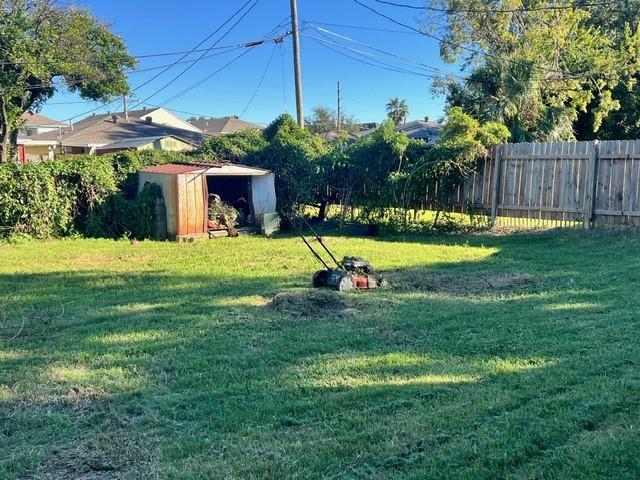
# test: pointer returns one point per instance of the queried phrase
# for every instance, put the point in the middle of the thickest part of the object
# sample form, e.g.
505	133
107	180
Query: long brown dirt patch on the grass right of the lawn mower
472	284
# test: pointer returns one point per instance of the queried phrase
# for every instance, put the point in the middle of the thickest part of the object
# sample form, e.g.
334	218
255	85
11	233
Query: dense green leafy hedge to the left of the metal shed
96	196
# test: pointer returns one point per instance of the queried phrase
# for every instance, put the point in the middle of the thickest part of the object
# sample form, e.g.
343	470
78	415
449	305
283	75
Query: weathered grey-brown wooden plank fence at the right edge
567	182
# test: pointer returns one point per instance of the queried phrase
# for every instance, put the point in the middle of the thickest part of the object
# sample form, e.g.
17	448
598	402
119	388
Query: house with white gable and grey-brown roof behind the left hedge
133	130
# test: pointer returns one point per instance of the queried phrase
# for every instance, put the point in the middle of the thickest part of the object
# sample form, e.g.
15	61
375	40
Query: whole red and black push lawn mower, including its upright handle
351	272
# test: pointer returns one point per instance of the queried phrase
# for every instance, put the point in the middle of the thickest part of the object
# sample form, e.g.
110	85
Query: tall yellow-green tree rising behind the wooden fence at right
538	69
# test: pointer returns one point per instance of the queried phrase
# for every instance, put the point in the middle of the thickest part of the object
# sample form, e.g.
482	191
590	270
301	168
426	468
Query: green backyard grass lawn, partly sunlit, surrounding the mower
167	364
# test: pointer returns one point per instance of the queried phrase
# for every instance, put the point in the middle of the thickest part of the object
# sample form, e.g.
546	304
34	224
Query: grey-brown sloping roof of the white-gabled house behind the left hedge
102	130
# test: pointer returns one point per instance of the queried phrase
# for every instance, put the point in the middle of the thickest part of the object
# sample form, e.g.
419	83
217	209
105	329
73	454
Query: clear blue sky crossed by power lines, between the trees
154	26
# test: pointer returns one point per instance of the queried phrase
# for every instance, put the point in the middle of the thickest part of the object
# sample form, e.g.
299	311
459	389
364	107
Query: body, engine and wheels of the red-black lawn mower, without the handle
352	272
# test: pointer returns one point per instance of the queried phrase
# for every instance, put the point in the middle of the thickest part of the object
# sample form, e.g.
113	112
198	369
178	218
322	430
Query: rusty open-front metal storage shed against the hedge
186	189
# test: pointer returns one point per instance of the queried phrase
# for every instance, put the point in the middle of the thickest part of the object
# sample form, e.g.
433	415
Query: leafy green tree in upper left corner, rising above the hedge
46	47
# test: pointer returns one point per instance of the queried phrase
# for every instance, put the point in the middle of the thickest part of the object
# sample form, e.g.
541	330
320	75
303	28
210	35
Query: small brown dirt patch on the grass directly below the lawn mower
312	302
